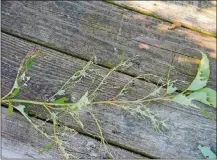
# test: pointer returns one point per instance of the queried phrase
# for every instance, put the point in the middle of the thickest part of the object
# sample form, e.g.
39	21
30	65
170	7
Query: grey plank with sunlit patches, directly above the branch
84	30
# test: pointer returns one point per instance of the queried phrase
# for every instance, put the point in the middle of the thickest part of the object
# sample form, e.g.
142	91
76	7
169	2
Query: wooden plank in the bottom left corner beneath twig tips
21	140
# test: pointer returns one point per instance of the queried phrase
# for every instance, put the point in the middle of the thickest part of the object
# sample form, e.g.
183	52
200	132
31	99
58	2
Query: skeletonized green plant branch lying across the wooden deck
58	104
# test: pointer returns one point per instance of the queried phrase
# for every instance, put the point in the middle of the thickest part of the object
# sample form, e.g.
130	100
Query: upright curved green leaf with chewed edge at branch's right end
202	76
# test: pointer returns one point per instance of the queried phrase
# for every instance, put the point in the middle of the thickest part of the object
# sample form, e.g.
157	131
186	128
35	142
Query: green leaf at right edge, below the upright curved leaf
211	95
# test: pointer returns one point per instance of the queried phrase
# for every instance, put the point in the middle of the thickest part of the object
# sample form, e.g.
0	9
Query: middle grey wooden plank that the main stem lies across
187	128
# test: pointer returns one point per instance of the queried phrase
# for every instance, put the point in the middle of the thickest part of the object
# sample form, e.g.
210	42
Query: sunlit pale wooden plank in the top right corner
196	15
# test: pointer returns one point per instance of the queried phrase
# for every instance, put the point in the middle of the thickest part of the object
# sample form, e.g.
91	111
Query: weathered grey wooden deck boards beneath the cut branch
71	33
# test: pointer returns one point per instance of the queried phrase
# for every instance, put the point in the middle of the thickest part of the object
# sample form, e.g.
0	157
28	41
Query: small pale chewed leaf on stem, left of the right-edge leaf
183	100
